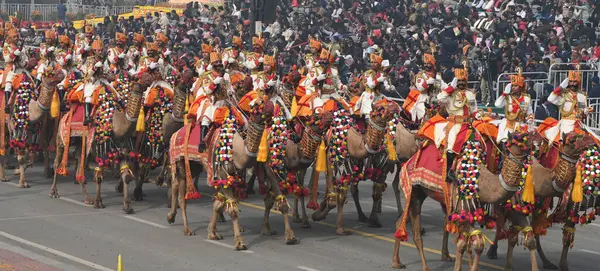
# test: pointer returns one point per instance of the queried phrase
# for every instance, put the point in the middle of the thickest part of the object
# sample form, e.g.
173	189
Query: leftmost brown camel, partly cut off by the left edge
38	112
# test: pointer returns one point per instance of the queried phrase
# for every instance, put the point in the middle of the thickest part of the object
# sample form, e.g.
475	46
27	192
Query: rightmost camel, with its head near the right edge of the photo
550	183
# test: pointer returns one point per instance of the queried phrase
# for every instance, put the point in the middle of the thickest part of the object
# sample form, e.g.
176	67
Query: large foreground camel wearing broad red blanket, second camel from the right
493	189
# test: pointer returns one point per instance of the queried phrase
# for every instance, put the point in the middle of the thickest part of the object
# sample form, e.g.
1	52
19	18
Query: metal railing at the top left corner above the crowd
45	12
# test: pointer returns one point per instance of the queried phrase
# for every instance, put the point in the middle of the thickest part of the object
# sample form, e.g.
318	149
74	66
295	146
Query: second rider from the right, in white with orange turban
517	107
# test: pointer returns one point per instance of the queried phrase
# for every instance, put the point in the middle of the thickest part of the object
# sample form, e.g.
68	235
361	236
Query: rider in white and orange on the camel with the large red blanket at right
449	134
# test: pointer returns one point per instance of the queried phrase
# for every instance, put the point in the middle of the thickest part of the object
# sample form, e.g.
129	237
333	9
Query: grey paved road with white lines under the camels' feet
41	233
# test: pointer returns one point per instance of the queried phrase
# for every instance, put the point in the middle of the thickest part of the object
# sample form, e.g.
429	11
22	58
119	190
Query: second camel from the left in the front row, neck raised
123	126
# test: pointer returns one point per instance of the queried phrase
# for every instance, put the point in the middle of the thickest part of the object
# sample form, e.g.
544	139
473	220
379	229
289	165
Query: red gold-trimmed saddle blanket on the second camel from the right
426	172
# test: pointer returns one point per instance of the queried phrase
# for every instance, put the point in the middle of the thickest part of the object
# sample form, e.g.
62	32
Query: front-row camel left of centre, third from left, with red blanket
185	165
